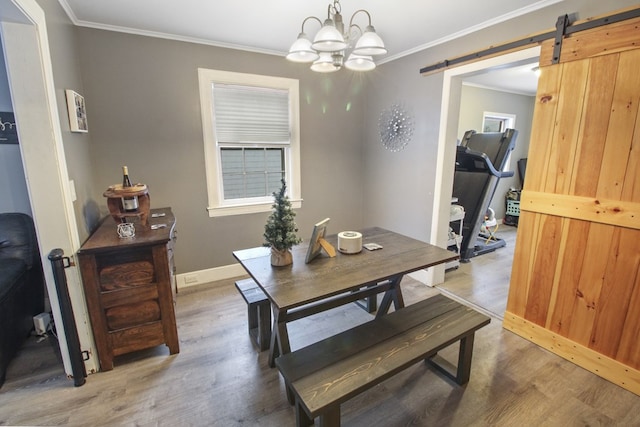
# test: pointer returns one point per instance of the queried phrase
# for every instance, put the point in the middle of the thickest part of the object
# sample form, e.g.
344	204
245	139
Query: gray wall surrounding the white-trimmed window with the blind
143	109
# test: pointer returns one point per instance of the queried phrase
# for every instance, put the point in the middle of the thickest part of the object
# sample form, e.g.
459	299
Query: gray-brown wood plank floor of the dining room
219	379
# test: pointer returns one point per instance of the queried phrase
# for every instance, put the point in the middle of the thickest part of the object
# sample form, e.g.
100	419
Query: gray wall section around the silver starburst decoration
399	185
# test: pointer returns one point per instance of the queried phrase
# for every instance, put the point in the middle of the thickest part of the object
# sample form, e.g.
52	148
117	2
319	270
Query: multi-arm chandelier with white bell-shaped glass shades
331	42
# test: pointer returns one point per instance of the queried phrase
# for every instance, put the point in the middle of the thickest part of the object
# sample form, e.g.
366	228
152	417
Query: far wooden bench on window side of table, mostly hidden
258	312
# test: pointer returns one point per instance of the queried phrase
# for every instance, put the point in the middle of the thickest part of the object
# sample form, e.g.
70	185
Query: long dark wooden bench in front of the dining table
330	372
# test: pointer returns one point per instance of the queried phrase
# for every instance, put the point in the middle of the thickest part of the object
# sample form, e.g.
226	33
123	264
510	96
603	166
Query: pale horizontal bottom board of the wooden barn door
601	365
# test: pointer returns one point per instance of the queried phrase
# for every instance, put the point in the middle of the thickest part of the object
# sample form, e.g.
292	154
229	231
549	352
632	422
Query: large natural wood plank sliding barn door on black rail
575	284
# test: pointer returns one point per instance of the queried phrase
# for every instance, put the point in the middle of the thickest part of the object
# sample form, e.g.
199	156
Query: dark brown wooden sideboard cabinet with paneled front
130	288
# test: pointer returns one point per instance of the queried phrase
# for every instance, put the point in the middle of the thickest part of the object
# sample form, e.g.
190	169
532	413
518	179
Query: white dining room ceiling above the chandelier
270	26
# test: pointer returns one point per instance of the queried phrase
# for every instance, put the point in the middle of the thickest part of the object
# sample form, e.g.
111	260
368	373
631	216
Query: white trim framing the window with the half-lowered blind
217	206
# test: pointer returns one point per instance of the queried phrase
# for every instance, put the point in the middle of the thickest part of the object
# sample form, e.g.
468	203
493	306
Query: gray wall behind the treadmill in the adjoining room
474	102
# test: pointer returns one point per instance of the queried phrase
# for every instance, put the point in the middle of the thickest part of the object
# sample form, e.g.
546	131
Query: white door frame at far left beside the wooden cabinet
33	96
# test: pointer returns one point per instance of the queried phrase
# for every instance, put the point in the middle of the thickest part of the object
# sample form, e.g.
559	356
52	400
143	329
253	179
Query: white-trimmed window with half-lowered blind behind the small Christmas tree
251	140
